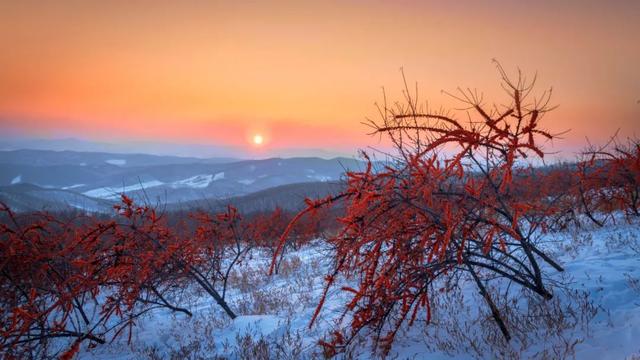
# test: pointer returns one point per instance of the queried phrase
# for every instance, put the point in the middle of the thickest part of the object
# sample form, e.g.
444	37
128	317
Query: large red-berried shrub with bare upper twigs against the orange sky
456	204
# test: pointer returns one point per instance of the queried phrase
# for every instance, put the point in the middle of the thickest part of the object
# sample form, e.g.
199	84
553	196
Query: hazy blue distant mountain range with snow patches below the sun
93	181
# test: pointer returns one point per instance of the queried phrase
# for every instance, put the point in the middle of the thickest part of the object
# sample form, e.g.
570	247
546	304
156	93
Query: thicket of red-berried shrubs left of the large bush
57	269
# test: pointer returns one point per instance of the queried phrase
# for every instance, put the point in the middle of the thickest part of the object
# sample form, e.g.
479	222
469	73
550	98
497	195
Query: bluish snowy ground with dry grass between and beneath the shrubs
604	263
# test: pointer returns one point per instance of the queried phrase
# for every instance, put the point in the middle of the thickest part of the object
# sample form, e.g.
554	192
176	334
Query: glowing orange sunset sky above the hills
303	74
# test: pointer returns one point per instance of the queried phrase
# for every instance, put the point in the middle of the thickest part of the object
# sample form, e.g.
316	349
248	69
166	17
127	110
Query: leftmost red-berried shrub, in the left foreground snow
82	278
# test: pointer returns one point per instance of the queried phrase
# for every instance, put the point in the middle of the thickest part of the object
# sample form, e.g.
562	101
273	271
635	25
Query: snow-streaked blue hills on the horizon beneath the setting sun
160	179
